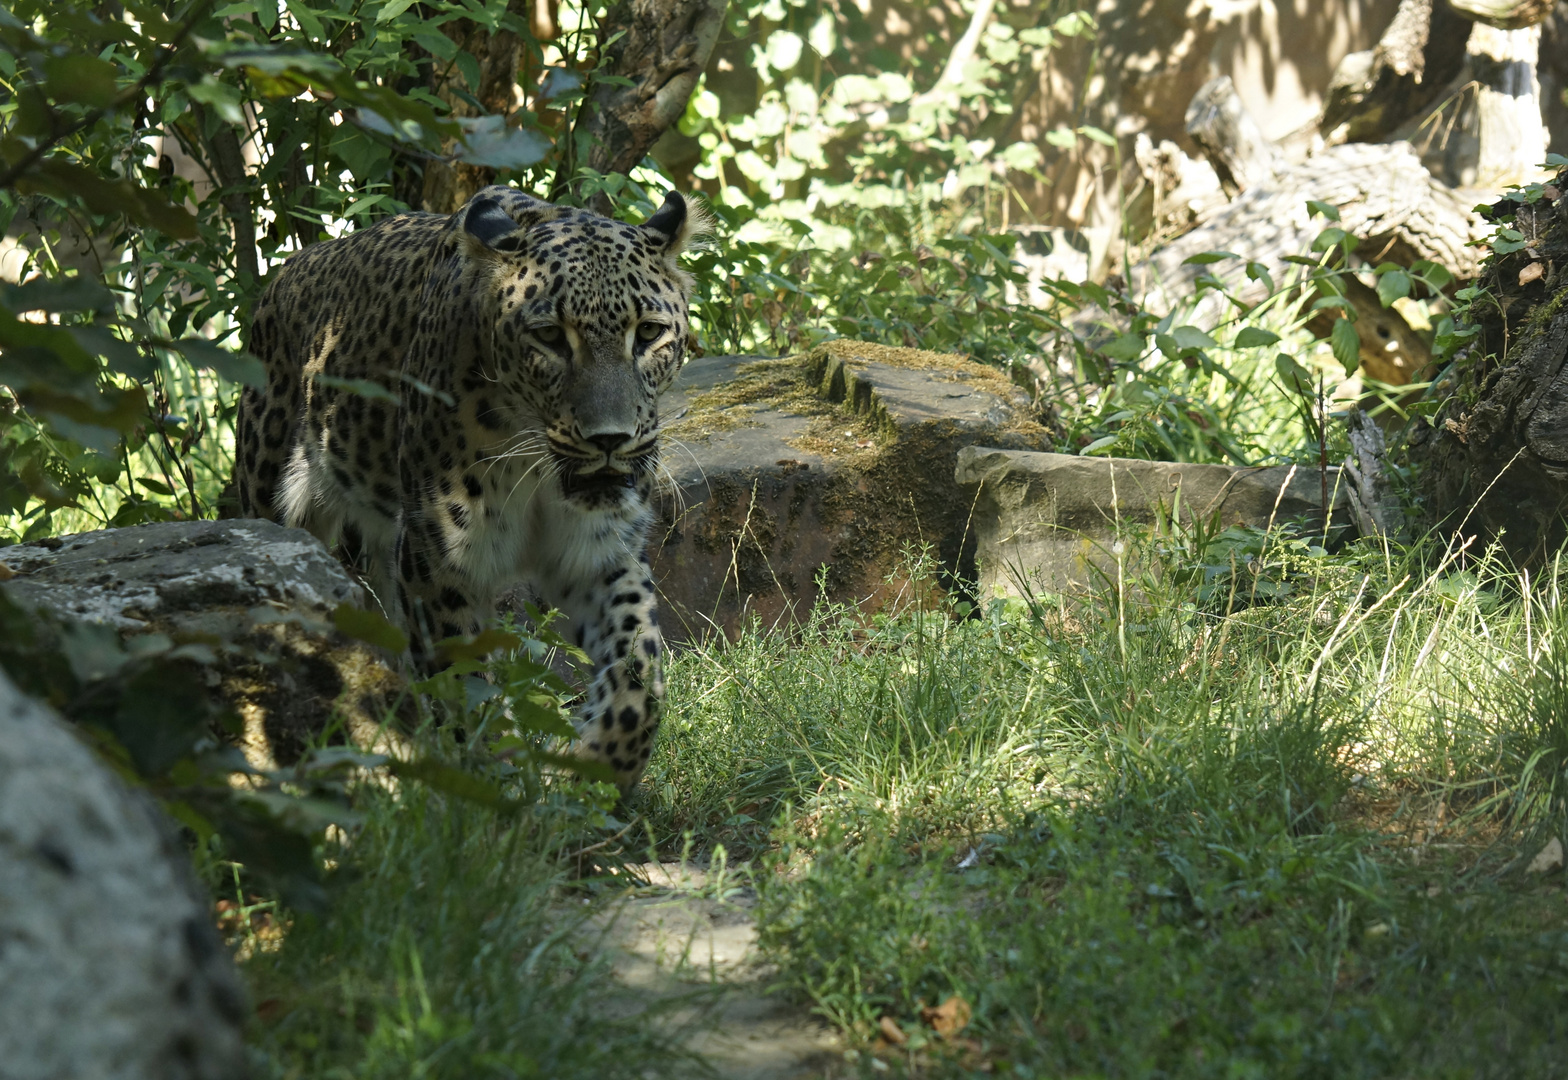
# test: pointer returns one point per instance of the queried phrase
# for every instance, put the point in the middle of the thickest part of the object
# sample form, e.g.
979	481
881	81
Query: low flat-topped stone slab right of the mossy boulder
1048	520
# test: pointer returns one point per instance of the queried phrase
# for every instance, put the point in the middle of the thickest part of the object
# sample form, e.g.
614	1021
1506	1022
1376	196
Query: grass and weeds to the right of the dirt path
1254	832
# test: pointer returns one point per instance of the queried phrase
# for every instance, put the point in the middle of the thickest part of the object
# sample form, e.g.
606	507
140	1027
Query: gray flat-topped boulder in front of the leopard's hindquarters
260	596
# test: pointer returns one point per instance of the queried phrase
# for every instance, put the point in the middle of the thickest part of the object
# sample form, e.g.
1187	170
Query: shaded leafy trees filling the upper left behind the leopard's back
161	161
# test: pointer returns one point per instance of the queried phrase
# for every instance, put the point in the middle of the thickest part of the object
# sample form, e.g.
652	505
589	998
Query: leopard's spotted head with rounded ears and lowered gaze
587	327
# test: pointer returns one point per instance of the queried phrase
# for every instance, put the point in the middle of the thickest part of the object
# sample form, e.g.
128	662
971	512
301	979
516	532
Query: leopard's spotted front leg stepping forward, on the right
615	618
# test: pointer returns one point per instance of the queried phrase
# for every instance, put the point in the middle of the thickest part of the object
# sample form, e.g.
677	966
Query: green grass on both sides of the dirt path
1260	811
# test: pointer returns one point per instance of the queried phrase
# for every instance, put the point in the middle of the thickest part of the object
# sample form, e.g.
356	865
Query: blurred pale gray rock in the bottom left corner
109	965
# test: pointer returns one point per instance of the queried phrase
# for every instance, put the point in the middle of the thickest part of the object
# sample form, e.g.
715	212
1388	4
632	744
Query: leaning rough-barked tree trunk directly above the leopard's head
662	49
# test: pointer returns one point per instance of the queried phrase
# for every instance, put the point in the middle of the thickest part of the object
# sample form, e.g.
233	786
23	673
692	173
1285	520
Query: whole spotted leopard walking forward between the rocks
470	404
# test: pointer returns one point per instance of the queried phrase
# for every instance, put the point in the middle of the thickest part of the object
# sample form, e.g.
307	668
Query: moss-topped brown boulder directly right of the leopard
816	476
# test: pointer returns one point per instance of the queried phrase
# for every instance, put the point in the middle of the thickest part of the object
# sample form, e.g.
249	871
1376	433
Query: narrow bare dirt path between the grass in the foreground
673	940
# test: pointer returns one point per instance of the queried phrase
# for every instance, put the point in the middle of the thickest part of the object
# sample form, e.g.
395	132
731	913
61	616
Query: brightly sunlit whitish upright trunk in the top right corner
1509	104
